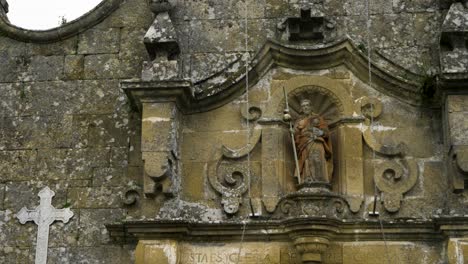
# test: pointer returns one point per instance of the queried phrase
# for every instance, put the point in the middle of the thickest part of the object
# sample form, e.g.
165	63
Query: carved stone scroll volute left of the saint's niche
229	177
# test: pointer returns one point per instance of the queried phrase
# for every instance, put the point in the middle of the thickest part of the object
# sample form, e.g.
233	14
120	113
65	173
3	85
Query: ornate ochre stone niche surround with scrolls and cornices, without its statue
219	183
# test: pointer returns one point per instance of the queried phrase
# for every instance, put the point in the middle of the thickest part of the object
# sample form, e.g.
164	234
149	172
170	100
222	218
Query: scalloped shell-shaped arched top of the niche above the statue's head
329	97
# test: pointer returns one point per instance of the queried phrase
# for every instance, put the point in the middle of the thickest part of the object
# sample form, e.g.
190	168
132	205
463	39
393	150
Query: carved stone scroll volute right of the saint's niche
395	175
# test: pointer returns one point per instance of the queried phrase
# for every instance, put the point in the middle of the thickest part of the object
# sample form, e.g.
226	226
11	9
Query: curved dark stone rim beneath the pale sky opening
88	20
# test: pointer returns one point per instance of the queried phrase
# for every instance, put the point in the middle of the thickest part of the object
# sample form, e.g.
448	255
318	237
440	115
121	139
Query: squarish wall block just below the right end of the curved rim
98	41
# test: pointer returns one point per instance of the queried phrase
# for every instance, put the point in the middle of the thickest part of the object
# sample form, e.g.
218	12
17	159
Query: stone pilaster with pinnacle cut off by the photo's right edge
454	84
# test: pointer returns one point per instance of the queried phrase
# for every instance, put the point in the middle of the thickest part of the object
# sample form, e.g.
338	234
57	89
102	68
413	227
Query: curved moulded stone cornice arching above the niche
225	86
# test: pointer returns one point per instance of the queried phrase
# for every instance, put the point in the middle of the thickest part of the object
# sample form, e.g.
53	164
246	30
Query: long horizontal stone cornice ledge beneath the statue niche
338	230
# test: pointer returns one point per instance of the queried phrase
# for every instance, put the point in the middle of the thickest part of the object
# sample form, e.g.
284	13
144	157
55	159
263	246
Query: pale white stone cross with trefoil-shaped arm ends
44	215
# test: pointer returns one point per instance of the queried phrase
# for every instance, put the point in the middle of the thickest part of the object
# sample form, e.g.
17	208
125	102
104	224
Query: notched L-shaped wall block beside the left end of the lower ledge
92	225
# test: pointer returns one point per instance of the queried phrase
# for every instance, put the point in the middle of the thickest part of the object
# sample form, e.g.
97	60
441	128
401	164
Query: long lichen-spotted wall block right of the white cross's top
95	198
